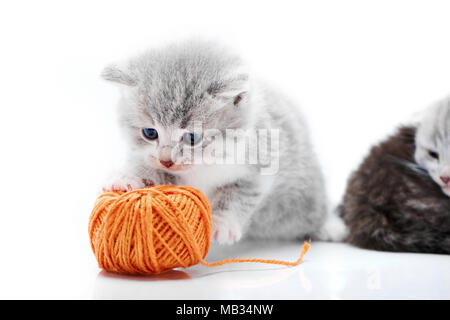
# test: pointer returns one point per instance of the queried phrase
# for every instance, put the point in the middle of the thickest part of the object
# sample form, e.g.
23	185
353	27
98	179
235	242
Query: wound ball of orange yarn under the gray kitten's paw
150	231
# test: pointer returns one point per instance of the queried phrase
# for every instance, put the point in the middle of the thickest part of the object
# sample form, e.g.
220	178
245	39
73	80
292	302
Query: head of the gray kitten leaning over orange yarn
171	95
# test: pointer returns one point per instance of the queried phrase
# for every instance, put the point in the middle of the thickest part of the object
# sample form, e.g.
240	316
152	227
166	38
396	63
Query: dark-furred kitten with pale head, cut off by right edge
399	198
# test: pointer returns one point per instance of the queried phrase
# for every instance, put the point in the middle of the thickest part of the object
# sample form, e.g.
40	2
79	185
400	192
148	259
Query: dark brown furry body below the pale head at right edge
392	204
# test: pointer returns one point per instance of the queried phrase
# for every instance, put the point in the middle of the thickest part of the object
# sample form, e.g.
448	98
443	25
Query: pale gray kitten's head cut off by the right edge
433	144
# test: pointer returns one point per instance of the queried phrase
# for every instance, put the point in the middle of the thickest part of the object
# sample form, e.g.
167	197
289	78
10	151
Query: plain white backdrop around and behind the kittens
357	68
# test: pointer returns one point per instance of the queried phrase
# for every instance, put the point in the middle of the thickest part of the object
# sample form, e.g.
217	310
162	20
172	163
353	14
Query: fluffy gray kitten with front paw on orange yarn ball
179	101
